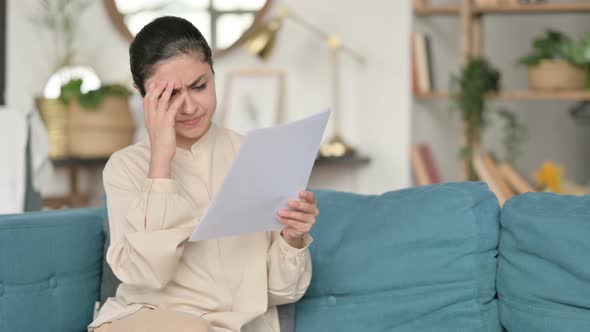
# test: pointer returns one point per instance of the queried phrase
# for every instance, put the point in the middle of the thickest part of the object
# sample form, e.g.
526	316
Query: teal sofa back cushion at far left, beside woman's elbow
50	265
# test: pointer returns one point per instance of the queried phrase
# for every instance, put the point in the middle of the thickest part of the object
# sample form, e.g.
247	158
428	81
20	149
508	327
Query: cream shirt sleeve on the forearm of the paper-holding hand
289	270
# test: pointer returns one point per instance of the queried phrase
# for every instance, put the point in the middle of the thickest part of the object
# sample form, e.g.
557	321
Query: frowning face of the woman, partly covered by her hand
194	79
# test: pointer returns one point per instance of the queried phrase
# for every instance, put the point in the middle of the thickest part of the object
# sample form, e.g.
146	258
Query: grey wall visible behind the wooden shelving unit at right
553	134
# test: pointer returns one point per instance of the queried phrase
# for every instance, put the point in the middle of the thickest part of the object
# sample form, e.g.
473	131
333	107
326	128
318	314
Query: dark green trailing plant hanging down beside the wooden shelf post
478	80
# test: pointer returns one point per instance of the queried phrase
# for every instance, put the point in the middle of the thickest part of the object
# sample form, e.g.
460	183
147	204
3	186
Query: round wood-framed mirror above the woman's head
223	23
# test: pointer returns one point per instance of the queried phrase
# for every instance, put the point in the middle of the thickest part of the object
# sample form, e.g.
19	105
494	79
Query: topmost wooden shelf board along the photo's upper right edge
574	7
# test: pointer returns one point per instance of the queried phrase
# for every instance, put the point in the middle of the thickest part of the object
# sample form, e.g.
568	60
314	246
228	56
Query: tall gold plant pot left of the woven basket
55	117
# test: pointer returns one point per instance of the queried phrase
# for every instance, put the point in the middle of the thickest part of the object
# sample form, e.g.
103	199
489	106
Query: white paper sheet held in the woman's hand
272	166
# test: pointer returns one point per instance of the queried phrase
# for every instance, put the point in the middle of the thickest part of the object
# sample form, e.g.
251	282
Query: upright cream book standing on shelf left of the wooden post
422	71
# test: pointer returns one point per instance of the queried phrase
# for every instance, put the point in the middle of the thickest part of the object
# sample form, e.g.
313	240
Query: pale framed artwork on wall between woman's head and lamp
253	98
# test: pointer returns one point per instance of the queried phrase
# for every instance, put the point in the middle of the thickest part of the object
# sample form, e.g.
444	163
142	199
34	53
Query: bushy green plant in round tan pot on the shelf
557	62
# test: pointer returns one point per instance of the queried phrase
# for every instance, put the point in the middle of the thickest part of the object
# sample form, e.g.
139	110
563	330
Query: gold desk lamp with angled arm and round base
261	41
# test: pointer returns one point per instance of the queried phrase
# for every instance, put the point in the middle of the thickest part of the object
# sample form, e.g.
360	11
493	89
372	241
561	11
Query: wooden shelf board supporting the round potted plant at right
520	95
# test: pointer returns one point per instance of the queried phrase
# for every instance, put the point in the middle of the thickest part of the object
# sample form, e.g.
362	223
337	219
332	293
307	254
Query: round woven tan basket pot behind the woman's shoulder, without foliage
98	133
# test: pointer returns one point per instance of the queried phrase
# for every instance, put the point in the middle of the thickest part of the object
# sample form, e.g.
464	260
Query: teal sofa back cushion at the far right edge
544	270
